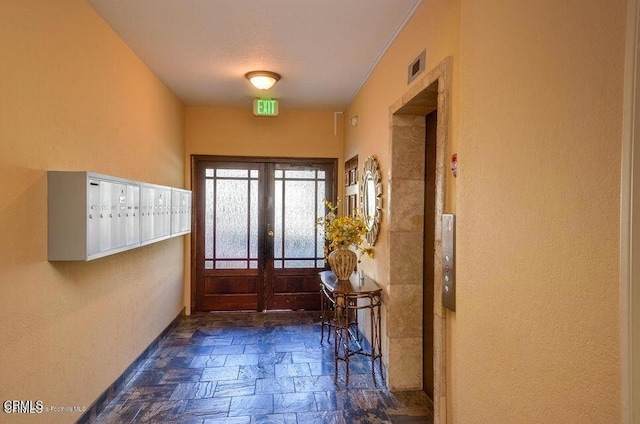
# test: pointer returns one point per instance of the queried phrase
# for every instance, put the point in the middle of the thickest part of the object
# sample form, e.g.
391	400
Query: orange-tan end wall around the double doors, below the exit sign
237	132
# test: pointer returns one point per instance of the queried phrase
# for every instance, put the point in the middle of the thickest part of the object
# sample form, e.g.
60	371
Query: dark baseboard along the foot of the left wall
114	389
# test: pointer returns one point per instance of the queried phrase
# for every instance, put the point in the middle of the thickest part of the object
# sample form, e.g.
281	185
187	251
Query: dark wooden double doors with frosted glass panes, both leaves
256	244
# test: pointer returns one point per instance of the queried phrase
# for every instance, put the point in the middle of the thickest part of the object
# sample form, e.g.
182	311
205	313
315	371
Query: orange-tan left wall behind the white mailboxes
74	97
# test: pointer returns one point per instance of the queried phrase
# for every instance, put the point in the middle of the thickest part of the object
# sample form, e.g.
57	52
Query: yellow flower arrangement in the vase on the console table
343	231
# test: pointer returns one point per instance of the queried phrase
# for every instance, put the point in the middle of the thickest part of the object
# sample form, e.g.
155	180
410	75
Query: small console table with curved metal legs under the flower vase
340	302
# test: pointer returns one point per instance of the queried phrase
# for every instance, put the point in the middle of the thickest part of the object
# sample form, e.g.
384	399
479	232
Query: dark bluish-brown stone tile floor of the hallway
241	368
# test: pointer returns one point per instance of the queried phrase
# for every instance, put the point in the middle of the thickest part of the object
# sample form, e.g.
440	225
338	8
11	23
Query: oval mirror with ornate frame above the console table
371	198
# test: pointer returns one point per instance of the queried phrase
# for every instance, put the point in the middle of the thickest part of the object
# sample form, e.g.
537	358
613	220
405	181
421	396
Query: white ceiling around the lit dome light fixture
201	49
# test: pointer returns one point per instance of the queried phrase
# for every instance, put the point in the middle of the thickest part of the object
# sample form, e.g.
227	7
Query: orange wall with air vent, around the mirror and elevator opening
433	27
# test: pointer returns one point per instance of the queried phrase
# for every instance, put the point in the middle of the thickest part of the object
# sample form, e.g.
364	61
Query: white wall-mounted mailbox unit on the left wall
92	215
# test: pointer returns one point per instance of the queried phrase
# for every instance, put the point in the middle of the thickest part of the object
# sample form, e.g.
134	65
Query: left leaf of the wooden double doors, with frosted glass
229	267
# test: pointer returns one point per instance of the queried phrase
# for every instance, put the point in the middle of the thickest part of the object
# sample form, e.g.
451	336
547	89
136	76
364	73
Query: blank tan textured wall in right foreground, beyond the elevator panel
538	206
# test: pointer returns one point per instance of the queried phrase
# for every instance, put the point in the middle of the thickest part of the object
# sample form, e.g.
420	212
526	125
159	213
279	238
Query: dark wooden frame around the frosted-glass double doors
221	158
